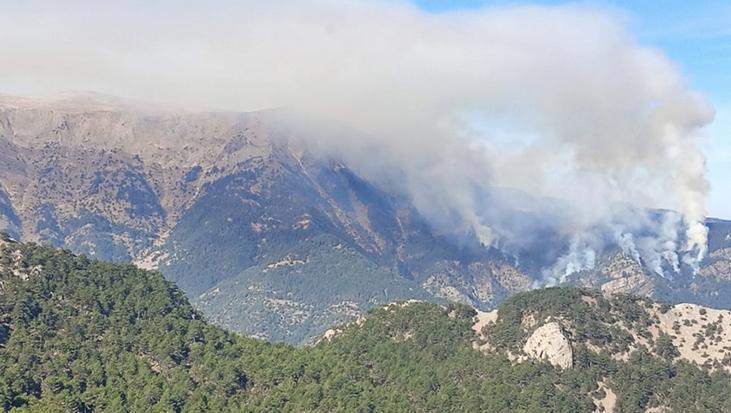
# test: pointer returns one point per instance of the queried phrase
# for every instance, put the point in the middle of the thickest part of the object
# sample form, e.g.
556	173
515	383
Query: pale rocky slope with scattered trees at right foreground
556	324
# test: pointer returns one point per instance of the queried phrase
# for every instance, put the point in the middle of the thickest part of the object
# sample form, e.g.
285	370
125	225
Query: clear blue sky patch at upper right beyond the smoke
697	37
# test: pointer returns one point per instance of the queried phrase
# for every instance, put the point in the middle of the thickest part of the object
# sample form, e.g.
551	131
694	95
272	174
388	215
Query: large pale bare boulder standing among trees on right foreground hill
548	342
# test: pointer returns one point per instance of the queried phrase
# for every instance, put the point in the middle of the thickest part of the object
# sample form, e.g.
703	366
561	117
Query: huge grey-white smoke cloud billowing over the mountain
558	102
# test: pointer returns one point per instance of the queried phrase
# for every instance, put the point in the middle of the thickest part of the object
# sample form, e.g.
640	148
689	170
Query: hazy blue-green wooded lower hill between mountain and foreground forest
326	276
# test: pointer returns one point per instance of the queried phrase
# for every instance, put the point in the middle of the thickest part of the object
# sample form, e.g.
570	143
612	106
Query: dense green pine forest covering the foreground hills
79	335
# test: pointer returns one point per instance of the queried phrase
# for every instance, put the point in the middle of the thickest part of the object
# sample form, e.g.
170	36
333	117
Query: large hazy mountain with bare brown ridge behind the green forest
265	236
